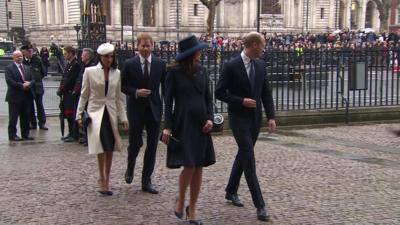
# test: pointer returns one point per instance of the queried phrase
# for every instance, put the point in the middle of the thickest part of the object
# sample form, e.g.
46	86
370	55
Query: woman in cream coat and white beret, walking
101	91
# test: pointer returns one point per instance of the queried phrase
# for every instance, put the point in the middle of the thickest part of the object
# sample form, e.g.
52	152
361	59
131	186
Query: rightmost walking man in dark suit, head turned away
244	86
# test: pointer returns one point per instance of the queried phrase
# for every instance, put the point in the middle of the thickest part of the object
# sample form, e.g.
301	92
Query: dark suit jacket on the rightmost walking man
234	85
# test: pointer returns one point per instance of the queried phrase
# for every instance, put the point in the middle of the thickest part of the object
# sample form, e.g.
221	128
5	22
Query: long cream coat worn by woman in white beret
93	93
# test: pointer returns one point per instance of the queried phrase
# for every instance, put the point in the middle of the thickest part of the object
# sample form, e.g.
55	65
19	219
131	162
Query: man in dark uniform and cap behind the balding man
36	67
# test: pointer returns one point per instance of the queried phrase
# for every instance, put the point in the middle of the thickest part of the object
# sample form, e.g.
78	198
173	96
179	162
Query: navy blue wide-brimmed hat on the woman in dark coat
188	46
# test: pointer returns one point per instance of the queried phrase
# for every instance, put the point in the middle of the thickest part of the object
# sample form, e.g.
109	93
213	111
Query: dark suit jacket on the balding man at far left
15	90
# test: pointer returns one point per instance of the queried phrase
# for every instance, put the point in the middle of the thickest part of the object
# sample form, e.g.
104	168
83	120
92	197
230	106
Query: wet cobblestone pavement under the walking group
333	175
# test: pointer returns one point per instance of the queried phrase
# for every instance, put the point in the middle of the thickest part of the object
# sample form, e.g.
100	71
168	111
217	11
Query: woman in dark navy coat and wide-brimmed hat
188	123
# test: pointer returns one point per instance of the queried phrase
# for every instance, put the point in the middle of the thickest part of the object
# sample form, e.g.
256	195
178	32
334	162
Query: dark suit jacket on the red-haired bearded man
132	79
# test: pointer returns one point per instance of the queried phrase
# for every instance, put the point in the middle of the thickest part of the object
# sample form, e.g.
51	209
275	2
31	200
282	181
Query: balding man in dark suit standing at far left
19	97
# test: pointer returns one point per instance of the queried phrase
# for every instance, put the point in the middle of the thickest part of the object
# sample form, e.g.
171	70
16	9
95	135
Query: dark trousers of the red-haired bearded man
136	128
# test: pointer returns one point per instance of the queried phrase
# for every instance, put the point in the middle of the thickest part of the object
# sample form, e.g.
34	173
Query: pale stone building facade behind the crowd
54	20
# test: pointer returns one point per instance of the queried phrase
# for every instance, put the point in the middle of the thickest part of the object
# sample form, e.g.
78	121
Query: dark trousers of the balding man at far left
19	109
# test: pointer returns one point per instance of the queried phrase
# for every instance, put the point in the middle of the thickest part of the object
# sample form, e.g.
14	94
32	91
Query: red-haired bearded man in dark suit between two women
141	78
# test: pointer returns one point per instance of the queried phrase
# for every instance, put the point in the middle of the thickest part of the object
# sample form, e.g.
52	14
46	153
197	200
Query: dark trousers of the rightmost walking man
245	132
